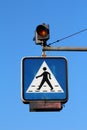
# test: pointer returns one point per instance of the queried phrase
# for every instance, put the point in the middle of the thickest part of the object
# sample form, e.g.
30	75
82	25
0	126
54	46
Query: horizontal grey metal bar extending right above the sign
64	48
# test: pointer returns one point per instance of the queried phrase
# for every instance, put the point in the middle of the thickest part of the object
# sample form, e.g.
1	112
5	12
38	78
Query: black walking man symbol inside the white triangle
46	76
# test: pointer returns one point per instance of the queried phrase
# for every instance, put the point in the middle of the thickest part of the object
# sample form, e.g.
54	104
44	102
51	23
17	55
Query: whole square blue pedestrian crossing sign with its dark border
44	79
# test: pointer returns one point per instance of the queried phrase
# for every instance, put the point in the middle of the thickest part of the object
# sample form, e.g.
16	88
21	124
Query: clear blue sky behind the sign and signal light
18	20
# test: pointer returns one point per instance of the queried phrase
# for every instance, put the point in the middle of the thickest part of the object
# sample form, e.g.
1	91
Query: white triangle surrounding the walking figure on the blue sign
40	76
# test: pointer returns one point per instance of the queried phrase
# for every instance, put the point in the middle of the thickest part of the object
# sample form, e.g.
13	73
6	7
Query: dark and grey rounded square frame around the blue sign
27	101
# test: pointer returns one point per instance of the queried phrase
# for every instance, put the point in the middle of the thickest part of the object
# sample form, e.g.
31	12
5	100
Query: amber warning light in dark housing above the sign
41	34
